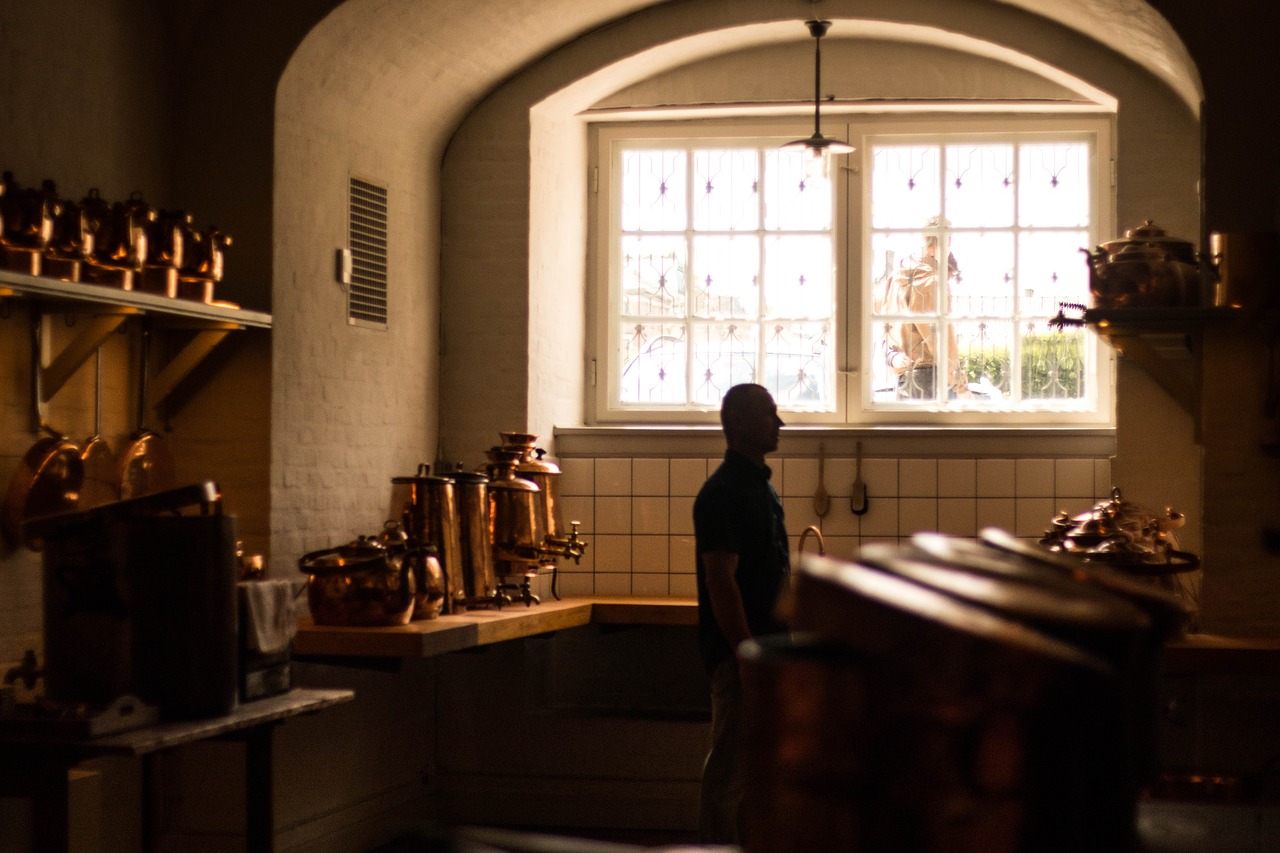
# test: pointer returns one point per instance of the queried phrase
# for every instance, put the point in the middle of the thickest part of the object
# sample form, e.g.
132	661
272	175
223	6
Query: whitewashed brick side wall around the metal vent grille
354	407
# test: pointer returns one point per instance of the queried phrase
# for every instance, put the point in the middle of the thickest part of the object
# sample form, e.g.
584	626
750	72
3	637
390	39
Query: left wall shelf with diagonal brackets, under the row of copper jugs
109	309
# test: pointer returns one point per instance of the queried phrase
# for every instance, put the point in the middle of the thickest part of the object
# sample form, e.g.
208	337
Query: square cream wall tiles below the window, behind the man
637	514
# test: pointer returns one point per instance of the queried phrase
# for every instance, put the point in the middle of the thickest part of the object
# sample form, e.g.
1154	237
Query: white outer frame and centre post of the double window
853	263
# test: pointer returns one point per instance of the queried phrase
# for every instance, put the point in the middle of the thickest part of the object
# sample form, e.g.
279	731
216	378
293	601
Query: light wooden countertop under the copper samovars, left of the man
474	628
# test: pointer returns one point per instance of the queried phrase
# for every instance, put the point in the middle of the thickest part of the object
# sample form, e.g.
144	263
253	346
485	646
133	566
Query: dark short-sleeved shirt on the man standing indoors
739	512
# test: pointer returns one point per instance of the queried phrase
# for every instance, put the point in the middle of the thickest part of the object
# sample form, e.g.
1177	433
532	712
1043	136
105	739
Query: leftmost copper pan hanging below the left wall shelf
47	481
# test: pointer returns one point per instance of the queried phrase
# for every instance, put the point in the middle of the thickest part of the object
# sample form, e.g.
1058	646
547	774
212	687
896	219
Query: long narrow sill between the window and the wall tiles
967	443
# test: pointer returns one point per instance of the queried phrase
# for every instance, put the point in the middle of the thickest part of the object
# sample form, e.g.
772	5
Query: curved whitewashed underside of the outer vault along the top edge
433	62
